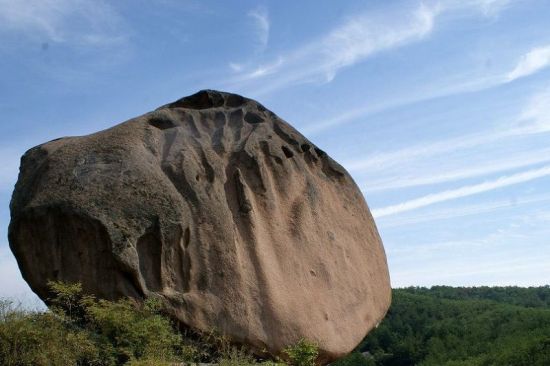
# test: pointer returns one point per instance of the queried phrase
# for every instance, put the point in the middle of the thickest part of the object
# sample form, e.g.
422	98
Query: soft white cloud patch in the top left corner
76	22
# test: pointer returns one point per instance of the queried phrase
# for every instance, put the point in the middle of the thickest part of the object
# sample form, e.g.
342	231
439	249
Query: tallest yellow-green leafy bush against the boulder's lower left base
125	329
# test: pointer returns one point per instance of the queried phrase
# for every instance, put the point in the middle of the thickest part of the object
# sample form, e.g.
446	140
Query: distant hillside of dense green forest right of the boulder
448	326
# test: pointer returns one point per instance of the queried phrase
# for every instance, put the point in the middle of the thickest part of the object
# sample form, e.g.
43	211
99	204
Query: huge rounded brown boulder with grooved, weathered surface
218	206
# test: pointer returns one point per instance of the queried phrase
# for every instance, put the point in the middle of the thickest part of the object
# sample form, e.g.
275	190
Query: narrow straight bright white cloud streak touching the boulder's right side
465	191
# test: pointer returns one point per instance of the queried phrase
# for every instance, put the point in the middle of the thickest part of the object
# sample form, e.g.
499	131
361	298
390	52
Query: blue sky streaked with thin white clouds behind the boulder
440	110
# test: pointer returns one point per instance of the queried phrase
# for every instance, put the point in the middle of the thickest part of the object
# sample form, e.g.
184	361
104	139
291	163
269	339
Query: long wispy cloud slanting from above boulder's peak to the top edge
356	39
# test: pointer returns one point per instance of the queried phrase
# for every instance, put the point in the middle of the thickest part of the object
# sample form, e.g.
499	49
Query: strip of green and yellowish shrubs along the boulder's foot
81	330
